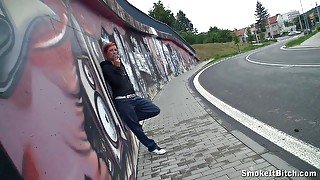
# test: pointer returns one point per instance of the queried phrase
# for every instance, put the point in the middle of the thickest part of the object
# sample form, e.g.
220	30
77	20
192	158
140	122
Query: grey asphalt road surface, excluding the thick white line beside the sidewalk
283	91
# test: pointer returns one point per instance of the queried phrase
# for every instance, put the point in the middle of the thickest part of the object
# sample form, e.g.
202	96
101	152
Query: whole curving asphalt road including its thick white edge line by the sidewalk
270	100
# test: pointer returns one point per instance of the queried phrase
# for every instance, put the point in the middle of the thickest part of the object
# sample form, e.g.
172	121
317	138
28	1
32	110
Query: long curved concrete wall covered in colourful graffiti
57	118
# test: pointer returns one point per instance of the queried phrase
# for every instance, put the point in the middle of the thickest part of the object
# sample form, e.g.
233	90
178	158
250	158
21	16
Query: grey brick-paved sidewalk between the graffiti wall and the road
198	146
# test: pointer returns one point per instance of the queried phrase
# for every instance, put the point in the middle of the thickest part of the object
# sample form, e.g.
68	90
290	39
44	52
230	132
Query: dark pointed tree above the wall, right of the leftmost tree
183	23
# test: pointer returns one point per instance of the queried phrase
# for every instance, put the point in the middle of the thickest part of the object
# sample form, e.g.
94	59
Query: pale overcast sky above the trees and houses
225	14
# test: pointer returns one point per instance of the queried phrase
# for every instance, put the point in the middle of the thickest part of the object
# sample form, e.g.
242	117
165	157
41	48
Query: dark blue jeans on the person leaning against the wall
134	110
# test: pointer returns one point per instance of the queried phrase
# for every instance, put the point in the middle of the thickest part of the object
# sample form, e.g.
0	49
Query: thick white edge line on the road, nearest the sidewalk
301	149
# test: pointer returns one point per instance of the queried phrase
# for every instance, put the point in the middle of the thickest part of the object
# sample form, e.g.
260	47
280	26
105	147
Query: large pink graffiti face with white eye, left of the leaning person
58	114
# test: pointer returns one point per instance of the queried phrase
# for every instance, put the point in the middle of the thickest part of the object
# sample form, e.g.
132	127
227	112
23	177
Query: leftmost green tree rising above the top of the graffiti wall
164	15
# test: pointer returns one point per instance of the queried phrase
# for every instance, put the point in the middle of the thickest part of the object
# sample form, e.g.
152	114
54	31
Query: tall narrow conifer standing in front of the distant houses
261	18
